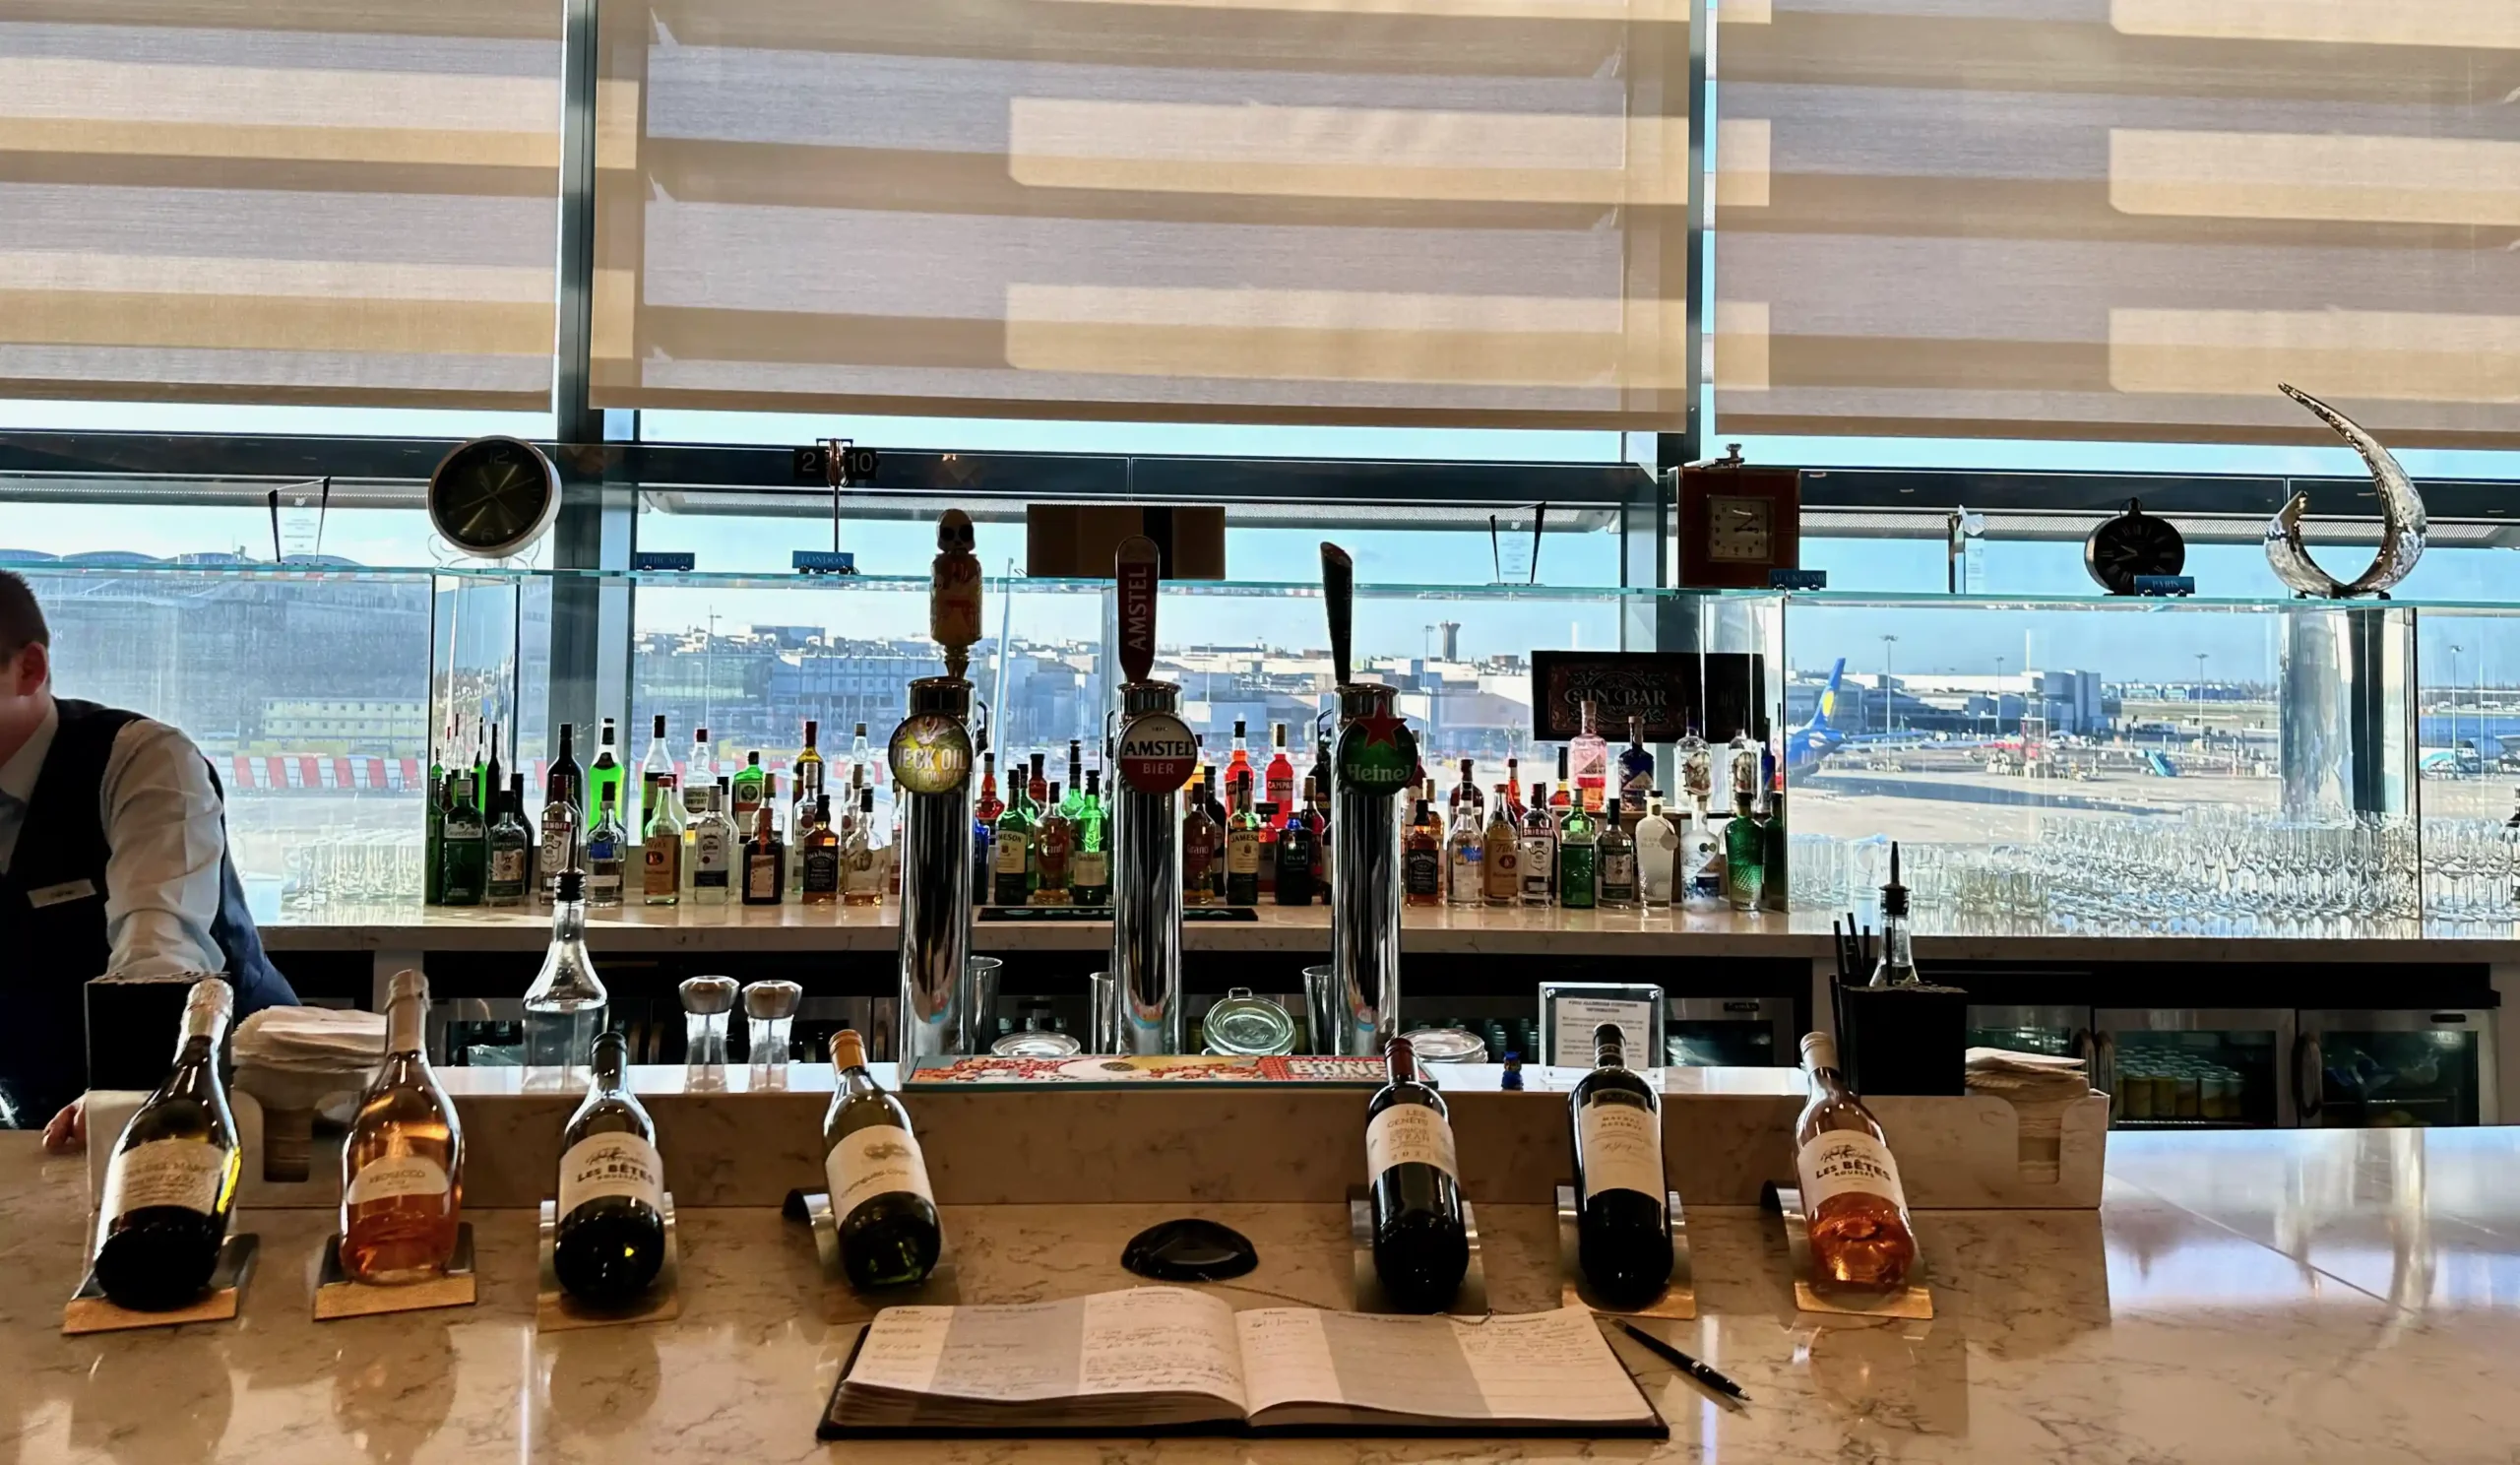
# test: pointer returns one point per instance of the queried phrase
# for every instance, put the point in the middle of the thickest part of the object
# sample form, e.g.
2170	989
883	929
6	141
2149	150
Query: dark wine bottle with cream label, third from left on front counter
611	1237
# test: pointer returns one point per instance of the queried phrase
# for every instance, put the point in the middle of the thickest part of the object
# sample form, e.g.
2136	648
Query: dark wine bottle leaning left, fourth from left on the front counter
888	1219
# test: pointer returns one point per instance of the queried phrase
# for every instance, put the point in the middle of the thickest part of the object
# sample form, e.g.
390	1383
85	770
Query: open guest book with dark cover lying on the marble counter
1173	1360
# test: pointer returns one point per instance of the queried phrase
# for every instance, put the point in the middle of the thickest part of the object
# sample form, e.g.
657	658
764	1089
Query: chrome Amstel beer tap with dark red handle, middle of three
1158	755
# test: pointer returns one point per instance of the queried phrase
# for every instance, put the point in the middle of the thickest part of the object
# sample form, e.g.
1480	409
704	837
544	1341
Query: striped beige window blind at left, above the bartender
278	200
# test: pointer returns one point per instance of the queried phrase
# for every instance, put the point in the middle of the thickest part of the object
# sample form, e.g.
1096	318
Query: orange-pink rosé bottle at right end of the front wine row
1848	1184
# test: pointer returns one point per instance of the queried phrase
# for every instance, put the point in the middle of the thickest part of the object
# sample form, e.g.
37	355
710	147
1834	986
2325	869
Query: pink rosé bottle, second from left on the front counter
402	1169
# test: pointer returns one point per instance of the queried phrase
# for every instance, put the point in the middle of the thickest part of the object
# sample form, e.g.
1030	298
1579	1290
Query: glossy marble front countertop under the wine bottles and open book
2264	1297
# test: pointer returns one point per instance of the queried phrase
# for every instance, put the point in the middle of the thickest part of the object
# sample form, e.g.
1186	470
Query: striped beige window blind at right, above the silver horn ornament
2121	218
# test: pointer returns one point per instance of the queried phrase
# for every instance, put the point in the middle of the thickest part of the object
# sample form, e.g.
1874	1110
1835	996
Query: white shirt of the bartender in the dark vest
163	836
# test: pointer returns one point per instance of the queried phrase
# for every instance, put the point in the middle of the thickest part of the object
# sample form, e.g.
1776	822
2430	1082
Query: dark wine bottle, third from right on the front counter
1420	1239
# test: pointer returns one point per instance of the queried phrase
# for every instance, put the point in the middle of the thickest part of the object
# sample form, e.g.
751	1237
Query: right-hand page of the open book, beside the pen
1508	1368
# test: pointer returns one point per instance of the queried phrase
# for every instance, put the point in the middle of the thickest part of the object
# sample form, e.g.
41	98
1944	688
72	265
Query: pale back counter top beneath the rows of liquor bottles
1307	929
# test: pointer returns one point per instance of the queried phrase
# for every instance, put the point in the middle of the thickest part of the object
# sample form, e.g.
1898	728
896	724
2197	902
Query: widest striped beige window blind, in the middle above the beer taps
1165	211
